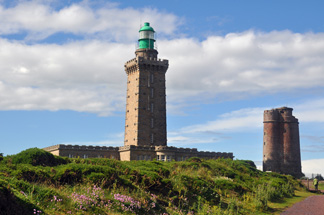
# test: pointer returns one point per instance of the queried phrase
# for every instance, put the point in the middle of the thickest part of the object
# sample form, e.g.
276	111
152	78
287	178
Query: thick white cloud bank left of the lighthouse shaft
82	76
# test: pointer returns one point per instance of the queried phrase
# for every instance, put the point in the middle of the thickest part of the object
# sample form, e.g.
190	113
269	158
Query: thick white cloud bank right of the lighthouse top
244	63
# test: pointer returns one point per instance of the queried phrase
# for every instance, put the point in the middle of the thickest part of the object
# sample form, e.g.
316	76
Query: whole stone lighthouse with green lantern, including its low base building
145	122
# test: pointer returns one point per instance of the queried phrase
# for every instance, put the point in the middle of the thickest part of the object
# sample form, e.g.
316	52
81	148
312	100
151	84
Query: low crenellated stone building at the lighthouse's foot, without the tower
131	152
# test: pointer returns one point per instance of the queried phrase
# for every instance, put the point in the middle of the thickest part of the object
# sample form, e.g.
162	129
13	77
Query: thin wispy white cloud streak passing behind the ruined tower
249	120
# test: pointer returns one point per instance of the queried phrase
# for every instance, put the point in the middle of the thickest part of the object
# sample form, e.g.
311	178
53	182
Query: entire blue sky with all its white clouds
62	78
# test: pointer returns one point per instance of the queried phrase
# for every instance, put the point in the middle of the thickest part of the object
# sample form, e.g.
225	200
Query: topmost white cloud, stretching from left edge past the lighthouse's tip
40	20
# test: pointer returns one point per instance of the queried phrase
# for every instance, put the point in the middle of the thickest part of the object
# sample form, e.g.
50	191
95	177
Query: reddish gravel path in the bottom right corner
313	205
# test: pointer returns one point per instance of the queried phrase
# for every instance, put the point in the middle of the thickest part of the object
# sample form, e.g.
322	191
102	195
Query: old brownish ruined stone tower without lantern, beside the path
281	148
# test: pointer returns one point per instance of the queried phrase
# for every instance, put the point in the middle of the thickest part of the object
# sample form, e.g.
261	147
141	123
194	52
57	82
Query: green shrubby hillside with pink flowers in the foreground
36	182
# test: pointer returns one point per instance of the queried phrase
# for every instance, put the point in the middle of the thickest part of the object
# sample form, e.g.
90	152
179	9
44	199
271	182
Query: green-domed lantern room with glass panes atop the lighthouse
146	39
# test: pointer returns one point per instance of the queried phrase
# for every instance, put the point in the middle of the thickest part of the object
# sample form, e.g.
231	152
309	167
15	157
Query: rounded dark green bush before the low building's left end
37	157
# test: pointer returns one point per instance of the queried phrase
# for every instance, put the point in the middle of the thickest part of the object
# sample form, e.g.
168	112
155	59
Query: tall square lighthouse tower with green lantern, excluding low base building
145	123
